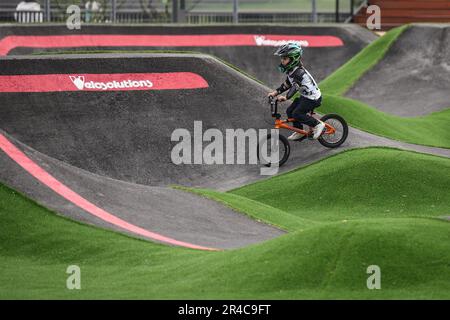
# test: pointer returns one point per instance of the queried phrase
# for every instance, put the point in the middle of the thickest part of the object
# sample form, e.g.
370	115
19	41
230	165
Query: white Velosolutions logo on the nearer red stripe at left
81	83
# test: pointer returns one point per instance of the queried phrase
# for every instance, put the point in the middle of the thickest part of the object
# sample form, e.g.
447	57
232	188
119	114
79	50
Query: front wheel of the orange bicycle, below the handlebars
273	150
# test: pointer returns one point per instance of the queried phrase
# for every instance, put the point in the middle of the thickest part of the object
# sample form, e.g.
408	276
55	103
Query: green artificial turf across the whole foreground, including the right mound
321	259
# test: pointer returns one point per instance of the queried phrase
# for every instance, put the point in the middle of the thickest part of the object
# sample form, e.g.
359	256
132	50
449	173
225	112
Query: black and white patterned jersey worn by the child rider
300	80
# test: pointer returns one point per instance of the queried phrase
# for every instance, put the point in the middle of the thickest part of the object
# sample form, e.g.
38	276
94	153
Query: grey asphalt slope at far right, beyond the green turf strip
413	78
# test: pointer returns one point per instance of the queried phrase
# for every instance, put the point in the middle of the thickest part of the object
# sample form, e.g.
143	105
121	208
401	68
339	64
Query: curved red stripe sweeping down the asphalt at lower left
47	179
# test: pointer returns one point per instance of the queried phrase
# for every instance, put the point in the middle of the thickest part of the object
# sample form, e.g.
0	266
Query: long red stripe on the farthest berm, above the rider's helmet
208	40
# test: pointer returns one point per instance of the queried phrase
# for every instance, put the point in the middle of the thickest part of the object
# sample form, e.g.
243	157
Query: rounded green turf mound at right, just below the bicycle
360	184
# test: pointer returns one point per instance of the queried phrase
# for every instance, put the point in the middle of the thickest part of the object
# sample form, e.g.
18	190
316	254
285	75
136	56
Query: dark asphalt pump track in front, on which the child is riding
113	148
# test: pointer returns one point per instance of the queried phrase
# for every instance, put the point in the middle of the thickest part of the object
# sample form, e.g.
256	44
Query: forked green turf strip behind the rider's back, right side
430	130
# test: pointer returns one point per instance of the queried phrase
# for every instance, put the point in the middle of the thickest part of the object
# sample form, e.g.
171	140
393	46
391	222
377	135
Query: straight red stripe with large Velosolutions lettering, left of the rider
101	82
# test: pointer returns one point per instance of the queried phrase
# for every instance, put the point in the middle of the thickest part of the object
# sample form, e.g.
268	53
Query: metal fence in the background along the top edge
113	11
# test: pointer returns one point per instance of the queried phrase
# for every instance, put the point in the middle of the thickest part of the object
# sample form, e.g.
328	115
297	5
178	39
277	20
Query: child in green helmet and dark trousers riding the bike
298	80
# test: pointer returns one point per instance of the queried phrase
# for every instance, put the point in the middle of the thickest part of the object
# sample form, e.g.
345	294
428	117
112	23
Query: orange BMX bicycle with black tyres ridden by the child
333	135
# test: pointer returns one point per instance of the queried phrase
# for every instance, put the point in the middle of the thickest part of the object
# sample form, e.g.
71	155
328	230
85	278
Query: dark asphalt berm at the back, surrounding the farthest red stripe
258	62
